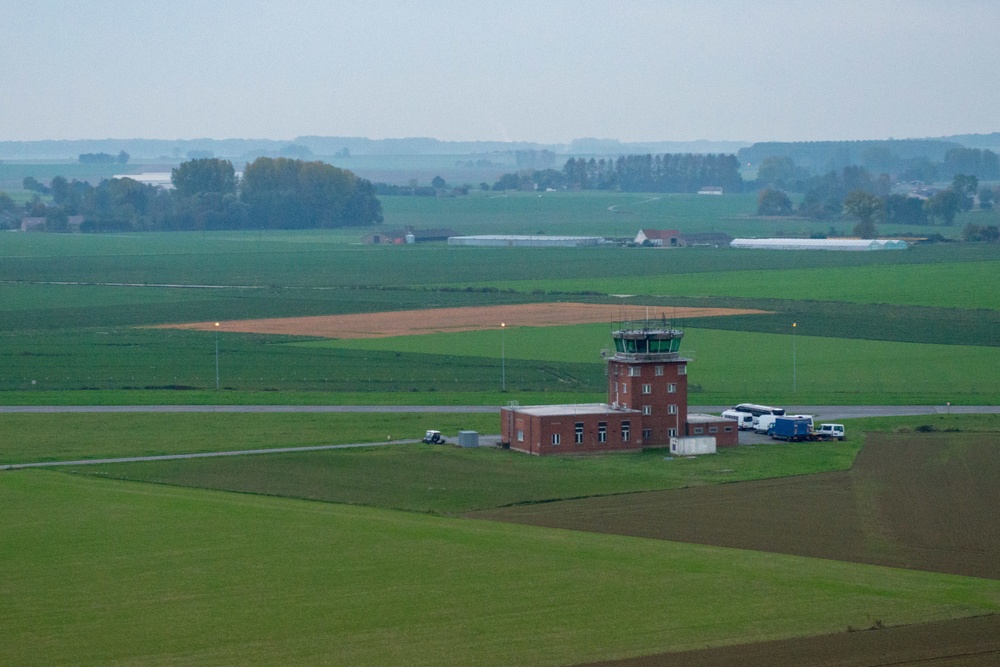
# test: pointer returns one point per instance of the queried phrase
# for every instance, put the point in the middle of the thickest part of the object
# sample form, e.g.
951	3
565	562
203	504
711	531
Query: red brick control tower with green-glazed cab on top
648	374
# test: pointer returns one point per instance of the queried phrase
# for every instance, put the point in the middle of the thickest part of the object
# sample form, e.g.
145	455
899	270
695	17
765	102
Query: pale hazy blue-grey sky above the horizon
546	71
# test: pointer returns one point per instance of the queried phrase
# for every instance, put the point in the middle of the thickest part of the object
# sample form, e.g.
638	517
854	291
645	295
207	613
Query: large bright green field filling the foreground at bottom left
101	572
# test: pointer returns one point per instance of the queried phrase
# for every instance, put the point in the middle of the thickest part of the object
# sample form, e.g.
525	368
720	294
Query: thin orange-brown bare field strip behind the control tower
442	320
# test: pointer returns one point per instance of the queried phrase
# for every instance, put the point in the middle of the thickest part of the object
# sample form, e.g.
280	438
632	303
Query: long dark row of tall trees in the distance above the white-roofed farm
633	173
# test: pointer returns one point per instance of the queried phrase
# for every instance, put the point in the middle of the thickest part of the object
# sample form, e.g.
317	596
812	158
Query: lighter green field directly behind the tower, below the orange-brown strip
728	364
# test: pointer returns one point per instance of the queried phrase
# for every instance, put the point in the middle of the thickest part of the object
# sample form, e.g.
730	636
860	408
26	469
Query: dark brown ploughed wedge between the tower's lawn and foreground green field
919	501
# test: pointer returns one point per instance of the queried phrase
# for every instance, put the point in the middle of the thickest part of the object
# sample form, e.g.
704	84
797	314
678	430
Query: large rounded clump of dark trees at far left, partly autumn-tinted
273	193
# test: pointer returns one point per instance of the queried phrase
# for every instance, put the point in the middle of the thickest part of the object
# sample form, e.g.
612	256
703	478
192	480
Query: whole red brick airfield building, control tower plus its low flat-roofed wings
647	404
